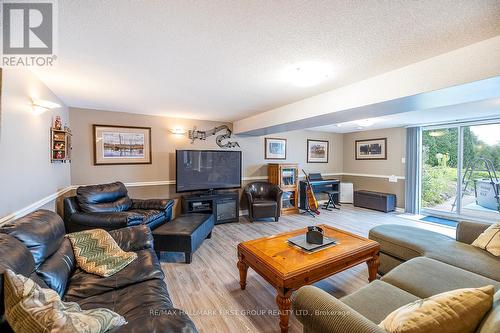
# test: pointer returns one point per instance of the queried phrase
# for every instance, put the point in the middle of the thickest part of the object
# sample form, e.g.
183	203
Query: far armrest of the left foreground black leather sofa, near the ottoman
134	238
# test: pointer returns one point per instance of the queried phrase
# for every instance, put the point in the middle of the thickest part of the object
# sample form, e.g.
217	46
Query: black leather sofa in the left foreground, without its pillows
35	246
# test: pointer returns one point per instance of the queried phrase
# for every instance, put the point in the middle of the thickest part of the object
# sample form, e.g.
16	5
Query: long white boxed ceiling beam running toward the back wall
406	88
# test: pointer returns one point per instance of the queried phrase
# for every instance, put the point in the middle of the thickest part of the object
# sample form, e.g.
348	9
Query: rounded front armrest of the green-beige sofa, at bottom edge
320	312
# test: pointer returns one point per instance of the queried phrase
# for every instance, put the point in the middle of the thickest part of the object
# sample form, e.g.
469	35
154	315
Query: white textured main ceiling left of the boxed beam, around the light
223	60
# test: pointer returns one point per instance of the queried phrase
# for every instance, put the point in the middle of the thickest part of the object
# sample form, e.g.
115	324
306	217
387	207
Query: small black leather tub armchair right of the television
264	200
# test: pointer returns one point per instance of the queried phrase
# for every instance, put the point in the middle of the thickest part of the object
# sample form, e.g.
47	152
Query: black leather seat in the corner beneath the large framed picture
109	207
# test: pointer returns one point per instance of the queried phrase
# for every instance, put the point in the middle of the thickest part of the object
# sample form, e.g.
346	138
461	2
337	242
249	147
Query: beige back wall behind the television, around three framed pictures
164	145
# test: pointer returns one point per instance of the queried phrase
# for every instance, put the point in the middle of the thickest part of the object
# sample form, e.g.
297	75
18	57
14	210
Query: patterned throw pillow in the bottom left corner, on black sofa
30	308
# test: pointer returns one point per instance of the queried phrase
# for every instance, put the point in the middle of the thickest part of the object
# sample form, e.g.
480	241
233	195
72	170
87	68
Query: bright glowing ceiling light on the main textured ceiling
308	73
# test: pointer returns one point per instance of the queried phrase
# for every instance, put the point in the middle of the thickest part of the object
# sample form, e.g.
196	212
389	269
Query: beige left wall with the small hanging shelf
27	175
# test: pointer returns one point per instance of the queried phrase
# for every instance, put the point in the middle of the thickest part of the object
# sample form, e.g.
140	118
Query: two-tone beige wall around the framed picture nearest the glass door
396	144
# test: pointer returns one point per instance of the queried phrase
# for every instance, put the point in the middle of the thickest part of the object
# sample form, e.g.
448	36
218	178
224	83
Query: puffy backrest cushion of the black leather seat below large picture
103	198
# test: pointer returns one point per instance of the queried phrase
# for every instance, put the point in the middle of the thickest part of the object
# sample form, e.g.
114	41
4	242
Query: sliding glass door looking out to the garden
460	170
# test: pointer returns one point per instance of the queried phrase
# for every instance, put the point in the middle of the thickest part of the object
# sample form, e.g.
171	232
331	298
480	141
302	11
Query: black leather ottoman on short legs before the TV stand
183	234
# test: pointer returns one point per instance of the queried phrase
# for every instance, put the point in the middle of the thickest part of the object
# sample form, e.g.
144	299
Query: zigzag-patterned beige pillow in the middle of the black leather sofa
96	252
